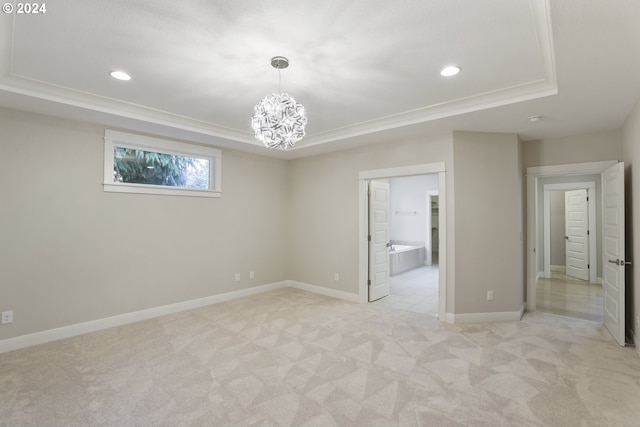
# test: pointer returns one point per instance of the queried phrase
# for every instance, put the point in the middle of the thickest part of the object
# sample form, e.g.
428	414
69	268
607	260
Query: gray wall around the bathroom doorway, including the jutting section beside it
484	215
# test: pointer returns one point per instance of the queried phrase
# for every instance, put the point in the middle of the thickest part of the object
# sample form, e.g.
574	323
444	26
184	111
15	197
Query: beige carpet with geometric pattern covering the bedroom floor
290	358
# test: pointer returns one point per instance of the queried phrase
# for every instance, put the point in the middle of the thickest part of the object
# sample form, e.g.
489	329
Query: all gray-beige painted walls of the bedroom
72	253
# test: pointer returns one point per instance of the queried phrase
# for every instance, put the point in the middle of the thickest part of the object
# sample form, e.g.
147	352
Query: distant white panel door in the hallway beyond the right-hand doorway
576	225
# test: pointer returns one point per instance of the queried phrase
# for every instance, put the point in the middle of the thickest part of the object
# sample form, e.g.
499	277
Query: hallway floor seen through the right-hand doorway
568	296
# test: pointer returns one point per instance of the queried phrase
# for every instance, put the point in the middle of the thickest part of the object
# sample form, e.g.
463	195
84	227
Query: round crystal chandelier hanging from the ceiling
278	120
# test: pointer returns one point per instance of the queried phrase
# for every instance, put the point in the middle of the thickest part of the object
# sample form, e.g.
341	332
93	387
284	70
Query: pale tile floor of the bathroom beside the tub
414	290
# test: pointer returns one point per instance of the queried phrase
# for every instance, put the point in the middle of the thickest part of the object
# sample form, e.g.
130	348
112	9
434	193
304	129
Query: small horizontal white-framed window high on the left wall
141	164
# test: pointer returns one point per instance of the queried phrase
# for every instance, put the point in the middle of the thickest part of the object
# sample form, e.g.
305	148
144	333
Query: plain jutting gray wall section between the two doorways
488	222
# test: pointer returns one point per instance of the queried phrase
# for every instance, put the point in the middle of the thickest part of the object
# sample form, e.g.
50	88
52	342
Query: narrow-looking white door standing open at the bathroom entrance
378	240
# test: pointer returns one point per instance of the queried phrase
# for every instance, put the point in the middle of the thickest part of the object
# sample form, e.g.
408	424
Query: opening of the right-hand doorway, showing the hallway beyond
568	283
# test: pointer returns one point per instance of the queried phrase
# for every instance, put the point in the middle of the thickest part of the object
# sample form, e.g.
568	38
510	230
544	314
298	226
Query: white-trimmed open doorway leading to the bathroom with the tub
411	243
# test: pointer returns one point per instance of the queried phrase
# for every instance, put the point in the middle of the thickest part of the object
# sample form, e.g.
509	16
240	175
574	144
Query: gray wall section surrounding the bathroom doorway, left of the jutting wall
324	210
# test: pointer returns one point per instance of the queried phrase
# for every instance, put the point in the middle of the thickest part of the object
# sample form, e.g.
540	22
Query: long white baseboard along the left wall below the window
42	337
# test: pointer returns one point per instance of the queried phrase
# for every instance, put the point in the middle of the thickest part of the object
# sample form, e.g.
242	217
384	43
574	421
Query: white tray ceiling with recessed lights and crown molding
366	70
